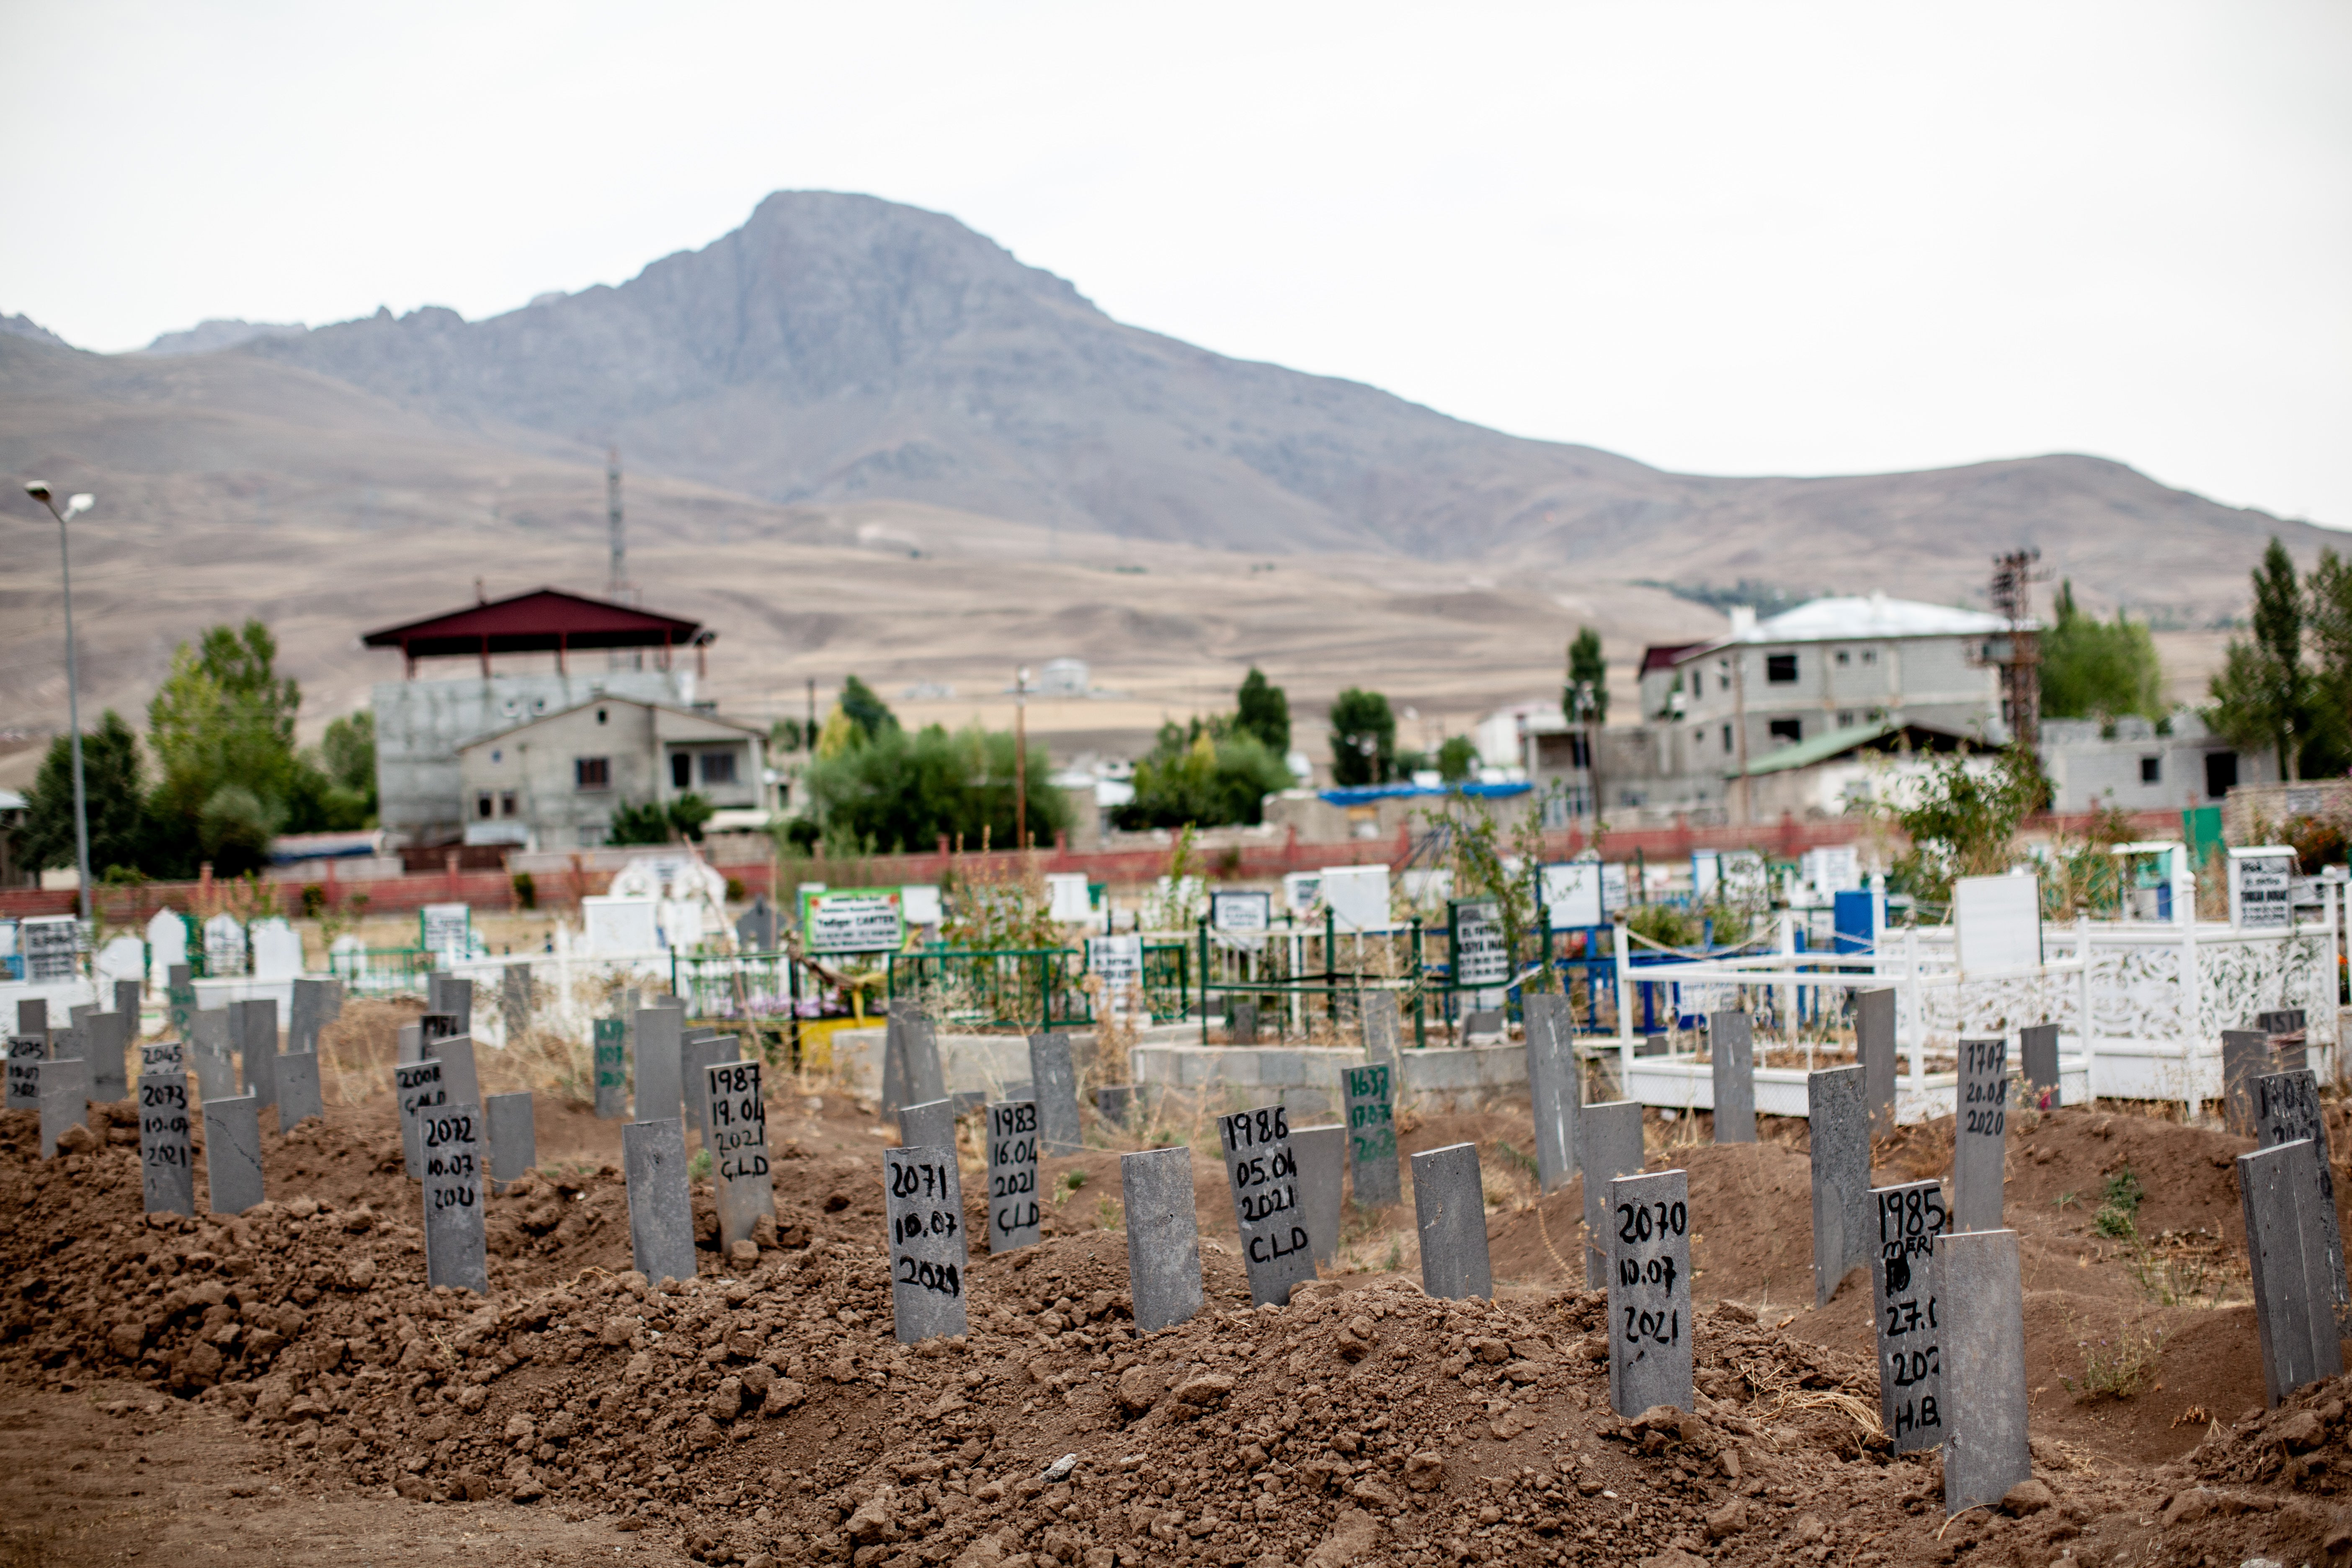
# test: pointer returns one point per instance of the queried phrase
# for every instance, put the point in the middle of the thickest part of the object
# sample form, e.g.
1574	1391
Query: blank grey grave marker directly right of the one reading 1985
1984	1367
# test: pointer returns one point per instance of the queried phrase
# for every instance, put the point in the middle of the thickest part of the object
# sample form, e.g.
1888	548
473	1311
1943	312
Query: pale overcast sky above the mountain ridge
1720	239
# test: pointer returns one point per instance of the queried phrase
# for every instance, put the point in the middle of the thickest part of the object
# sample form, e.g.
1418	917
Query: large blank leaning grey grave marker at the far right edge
2290	1259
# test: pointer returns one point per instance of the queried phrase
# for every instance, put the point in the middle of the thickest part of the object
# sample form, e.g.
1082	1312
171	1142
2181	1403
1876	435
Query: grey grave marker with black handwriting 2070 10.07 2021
1650	1292
